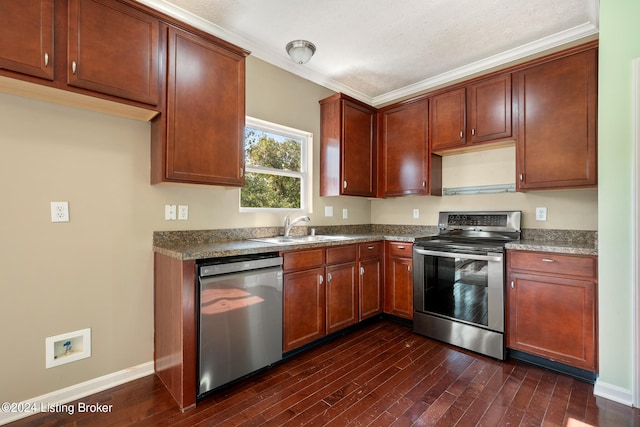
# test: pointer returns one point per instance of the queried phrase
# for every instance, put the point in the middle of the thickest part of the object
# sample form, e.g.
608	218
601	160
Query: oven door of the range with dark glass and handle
467	288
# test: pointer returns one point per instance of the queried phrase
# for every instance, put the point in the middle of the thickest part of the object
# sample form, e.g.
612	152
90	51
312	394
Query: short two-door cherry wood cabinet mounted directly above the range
477	113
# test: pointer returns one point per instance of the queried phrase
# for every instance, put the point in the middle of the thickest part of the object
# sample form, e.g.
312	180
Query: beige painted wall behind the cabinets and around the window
96	271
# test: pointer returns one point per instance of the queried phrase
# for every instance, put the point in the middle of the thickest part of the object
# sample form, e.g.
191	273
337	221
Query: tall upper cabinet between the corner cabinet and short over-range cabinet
406	165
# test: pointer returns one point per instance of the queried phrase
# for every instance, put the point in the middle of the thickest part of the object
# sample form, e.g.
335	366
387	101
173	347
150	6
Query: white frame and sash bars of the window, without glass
305	174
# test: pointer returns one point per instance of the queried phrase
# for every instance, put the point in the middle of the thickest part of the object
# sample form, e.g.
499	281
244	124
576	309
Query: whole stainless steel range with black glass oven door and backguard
459	280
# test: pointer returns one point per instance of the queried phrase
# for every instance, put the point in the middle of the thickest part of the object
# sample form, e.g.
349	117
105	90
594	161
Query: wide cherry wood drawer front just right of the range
552	263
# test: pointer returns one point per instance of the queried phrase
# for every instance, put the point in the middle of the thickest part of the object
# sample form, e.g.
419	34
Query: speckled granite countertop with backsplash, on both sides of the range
201	244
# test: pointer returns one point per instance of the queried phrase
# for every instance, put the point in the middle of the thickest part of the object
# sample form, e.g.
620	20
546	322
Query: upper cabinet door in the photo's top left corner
26	37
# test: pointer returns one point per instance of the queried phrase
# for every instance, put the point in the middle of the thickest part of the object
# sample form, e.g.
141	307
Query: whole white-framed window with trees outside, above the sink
277	168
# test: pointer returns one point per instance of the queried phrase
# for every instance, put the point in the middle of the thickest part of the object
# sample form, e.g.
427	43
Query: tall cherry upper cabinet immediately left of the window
200	137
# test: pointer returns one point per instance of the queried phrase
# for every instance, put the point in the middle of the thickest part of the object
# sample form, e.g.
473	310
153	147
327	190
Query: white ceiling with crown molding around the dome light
381	50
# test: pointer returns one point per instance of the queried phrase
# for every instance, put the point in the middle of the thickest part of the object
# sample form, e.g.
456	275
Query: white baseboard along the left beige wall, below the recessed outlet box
76	392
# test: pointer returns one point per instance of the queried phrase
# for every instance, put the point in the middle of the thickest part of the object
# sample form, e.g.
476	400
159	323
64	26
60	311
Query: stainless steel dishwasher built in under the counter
240	317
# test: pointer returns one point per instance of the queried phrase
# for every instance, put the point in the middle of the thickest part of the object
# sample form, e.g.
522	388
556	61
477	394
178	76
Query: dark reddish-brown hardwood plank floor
380	375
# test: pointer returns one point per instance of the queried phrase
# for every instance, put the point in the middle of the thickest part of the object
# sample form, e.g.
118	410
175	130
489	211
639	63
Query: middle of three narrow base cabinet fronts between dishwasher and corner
342	287
